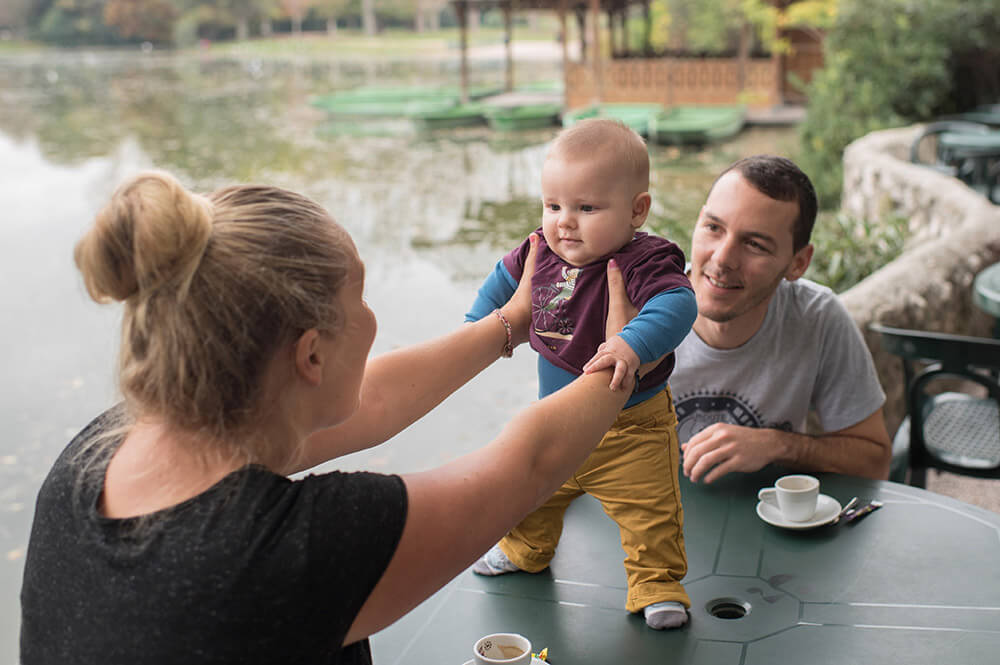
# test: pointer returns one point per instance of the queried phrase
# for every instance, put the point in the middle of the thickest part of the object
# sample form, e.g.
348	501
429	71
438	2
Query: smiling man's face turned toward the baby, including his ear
741	249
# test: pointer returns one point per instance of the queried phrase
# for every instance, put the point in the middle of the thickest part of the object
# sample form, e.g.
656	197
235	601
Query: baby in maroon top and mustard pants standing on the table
595	183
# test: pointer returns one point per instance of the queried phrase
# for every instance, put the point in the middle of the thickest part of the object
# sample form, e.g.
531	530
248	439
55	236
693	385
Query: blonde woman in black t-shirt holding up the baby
169	531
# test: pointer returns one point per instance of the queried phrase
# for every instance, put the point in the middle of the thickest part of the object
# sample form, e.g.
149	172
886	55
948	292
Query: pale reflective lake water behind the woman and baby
430	215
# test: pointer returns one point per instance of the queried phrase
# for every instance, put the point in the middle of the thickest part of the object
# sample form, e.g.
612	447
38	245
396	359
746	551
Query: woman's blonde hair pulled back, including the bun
212	286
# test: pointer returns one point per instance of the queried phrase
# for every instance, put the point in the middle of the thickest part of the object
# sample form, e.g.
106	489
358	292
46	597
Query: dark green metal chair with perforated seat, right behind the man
952	402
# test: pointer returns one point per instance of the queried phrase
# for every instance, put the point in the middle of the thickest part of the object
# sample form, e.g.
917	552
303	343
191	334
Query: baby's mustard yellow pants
633	473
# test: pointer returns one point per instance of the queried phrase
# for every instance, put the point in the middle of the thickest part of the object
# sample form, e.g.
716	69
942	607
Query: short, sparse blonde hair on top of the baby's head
609	139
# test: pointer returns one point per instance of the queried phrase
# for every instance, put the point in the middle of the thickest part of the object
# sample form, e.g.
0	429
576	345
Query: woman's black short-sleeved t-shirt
257	569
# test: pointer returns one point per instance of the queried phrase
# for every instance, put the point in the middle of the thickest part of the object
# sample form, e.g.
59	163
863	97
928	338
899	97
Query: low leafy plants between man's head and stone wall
852	249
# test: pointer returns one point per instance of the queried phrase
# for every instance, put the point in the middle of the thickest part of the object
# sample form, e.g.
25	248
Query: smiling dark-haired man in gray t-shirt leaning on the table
768	347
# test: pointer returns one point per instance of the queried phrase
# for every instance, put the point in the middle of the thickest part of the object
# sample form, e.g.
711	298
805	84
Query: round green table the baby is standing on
915	582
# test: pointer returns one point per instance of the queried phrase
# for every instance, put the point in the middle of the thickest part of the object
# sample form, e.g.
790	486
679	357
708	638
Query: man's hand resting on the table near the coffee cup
722	448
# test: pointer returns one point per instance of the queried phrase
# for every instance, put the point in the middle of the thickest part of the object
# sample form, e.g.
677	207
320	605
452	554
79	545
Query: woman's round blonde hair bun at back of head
152	234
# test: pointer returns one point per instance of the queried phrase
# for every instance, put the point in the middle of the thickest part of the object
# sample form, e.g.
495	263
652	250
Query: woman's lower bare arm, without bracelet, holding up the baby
457	511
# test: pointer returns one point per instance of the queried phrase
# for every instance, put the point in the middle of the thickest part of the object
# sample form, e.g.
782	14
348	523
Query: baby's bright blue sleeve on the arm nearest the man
662	323
